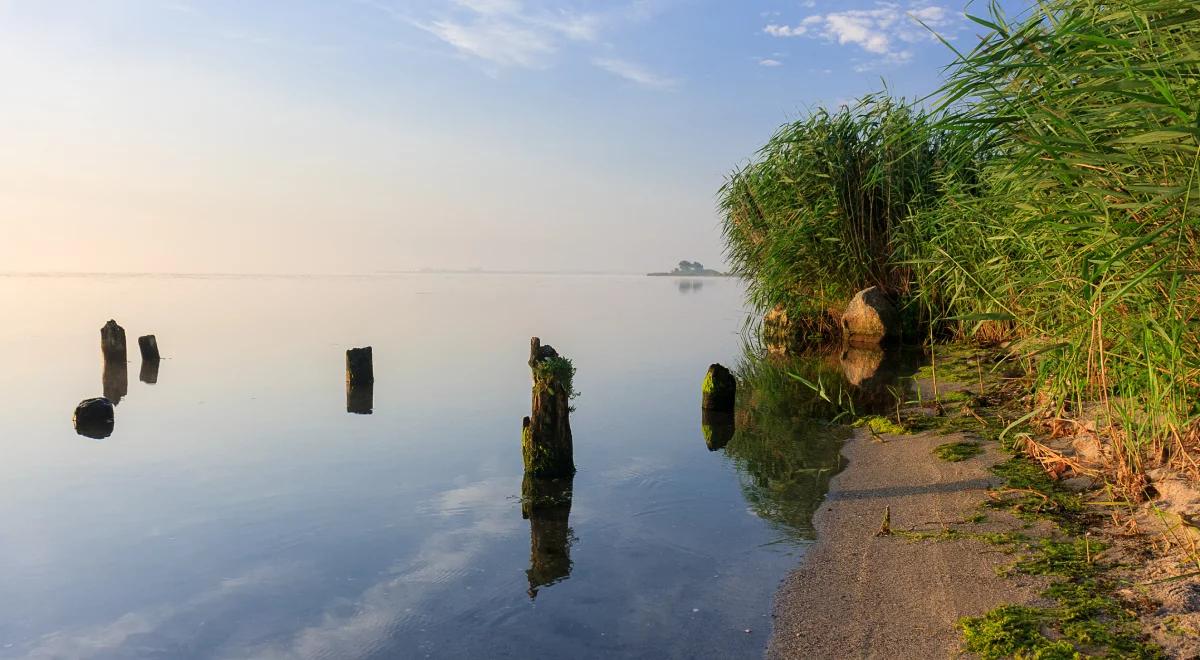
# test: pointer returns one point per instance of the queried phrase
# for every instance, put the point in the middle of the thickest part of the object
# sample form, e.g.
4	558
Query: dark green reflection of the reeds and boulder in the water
788	445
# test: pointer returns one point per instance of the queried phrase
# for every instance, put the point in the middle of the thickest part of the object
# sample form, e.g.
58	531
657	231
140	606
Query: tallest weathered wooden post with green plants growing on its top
547	434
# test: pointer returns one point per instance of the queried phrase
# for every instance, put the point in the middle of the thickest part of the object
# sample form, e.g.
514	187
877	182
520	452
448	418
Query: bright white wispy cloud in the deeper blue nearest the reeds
886	32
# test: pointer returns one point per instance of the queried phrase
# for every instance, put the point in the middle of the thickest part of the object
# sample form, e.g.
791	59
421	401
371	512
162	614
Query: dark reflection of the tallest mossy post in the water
547	505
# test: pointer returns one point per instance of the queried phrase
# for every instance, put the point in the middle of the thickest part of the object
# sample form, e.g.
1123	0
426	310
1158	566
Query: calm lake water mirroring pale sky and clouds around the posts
238	511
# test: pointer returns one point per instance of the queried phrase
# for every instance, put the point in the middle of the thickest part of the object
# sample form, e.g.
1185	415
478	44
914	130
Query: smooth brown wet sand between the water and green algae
859	595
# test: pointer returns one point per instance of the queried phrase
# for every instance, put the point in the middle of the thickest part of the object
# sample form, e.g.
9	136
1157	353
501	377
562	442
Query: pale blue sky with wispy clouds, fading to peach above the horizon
357	136
